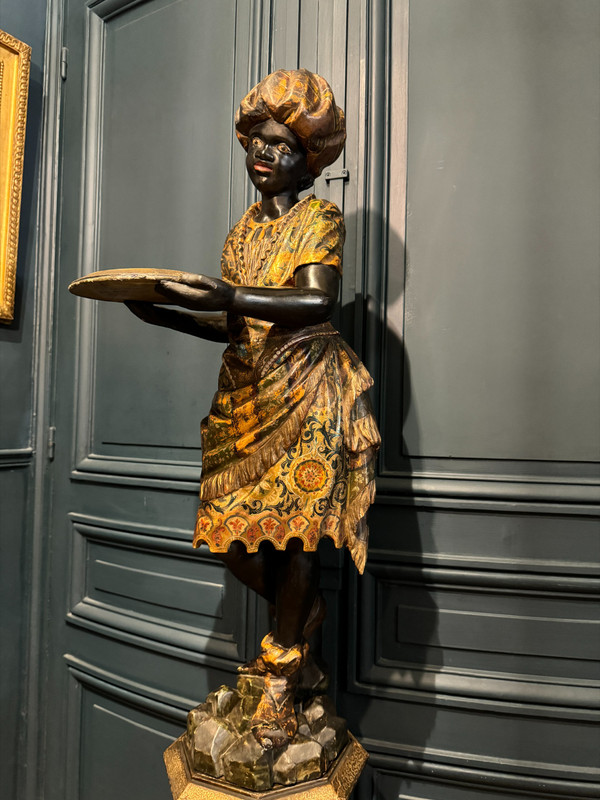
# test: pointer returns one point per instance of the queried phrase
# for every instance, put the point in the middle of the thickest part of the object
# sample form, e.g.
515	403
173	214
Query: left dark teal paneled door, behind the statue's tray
141	626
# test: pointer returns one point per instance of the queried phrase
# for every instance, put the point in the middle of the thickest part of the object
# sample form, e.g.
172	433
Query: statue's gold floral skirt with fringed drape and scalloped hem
289	448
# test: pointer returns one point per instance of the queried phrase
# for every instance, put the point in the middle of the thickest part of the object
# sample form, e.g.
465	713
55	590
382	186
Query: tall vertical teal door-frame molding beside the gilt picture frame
32	741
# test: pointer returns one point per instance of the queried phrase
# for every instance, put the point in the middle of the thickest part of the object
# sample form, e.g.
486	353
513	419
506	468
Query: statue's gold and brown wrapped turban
304	103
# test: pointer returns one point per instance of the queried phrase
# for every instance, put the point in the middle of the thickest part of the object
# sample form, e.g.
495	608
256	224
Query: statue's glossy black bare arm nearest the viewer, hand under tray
310	302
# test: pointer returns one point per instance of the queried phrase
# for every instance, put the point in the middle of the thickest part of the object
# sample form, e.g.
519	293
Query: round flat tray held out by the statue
119	285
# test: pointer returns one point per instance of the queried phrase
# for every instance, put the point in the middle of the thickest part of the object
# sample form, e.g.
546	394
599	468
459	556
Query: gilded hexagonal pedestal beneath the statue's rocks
336	784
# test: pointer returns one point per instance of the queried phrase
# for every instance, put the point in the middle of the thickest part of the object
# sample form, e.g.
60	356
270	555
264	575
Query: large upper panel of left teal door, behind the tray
156	193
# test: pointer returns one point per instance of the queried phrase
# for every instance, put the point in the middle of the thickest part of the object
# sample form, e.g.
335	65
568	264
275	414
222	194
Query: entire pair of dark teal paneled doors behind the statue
465	657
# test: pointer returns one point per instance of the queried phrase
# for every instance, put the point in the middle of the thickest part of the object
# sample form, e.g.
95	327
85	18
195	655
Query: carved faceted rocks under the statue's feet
220	744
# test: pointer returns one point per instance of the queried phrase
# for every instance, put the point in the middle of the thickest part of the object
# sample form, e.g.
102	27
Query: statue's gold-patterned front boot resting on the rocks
274	722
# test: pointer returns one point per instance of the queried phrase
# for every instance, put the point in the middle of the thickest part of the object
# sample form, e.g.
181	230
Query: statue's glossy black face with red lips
276	161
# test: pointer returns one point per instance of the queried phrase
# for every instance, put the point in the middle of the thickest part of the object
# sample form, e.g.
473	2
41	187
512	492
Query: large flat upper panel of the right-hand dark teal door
500	310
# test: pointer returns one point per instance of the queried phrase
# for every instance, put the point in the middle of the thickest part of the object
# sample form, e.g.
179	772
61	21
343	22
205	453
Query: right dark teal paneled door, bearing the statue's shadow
475	641
